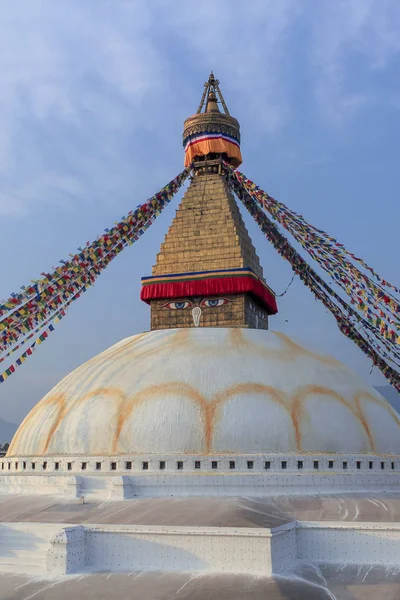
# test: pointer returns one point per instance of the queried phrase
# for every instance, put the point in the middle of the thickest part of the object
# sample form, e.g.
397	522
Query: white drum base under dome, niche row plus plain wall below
108	478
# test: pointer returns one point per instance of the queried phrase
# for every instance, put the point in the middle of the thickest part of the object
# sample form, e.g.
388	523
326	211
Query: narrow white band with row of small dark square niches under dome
343	463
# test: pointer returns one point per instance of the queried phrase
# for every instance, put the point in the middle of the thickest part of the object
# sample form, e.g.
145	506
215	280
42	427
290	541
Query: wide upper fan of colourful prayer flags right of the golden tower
377	299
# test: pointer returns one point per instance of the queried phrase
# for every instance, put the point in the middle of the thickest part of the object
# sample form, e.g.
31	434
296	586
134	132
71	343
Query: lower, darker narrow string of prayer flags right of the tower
353	325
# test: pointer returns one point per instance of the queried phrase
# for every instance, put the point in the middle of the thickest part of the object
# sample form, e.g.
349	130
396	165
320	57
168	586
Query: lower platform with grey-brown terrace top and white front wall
48	537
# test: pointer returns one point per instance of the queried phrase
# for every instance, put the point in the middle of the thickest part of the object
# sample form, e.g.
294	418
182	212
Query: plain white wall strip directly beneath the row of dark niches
152	484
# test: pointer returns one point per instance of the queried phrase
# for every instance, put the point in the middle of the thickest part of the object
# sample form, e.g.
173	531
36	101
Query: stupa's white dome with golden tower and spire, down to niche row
210	388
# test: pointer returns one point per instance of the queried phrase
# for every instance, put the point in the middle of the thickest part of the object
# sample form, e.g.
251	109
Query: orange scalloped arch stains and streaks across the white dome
208	407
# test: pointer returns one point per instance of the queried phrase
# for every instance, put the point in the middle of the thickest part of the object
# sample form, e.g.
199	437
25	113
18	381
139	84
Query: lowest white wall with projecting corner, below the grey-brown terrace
239	550
